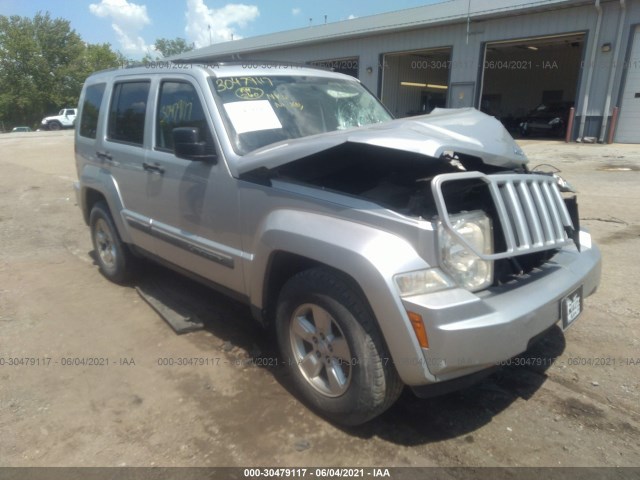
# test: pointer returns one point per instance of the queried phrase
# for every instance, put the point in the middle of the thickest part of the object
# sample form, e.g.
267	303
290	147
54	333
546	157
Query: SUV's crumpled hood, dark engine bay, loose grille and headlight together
460	170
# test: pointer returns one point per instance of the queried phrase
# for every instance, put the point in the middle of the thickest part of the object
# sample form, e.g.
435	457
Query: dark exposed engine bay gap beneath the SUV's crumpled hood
398	180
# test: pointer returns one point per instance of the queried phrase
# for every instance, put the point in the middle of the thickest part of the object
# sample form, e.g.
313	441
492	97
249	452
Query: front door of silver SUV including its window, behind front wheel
193	203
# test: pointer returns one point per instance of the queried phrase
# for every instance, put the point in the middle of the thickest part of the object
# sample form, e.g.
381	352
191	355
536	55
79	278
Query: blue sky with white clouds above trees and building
132	26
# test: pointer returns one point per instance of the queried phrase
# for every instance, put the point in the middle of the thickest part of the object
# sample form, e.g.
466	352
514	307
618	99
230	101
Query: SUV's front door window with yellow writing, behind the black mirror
179	106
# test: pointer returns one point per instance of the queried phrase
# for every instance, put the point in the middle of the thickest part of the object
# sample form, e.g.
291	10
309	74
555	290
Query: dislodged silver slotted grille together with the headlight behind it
529	221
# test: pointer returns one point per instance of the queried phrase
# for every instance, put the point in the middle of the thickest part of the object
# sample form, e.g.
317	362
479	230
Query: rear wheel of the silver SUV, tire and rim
114	259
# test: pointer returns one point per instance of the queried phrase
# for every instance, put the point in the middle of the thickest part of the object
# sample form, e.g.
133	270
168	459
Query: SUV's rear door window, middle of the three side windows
127	112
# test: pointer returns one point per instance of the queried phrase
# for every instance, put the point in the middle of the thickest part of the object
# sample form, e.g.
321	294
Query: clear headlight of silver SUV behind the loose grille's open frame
466	268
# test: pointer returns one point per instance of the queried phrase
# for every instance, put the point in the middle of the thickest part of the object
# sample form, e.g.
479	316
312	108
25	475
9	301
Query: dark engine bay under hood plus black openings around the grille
401	181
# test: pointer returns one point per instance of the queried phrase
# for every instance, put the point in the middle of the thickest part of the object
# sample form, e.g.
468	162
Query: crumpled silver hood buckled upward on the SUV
462	130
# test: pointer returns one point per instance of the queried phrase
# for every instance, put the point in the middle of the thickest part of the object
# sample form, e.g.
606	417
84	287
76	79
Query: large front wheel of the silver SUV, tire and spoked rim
333	349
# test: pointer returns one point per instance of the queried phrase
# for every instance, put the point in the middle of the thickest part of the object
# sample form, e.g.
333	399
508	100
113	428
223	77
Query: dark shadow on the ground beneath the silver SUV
411	421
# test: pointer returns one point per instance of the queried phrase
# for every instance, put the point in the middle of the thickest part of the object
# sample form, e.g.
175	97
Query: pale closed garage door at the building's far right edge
628	131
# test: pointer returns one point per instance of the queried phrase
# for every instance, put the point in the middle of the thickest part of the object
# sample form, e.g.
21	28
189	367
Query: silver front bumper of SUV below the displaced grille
469	332
